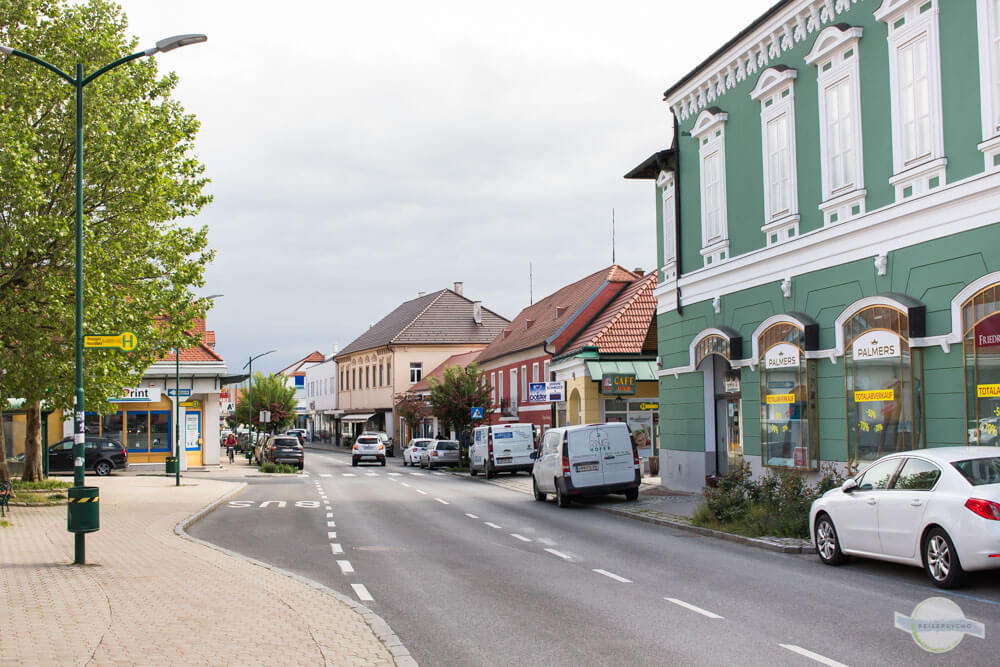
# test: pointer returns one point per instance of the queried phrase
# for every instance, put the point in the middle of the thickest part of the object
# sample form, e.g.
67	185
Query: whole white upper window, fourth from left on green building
835	54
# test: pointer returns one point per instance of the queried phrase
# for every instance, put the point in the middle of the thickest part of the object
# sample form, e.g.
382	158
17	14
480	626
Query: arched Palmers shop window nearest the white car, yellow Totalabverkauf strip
884	385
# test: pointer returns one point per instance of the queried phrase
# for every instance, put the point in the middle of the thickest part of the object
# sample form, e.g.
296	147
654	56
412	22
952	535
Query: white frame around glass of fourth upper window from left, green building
836	55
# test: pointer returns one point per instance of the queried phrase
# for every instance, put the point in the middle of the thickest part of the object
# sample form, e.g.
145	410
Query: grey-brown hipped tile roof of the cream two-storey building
439	318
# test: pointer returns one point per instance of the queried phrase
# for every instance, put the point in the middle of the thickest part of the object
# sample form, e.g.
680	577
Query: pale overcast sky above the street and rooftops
361	152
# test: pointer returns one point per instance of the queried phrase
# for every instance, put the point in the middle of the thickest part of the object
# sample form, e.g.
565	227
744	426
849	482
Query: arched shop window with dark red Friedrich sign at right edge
981	345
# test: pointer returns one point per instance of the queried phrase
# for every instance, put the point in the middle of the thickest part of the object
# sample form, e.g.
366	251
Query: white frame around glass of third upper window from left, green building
775	90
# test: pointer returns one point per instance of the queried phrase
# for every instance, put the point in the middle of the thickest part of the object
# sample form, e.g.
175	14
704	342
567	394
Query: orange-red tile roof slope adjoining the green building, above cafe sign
623	326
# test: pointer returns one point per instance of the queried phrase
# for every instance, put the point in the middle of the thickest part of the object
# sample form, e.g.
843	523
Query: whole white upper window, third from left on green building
775	91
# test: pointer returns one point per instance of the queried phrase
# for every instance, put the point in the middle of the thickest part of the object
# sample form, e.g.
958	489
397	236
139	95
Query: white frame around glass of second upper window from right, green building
907	22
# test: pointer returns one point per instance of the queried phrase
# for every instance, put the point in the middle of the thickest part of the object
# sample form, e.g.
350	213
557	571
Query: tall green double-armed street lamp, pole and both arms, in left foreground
78	82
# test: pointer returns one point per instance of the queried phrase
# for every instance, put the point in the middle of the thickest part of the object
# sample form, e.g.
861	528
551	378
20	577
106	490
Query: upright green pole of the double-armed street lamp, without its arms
79	552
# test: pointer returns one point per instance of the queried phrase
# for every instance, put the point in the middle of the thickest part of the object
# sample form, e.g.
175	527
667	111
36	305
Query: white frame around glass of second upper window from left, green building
710	132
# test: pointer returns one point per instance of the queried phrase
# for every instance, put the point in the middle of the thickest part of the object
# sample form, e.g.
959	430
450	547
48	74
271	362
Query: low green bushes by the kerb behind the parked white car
776	505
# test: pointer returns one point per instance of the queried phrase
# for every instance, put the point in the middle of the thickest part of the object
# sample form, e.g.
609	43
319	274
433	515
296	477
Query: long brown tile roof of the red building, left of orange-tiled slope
540	322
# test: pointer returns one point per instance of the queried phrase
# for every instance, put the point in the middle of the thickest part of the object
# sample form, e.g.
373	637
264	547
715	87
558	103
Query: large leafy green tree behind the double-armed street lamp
140	264
